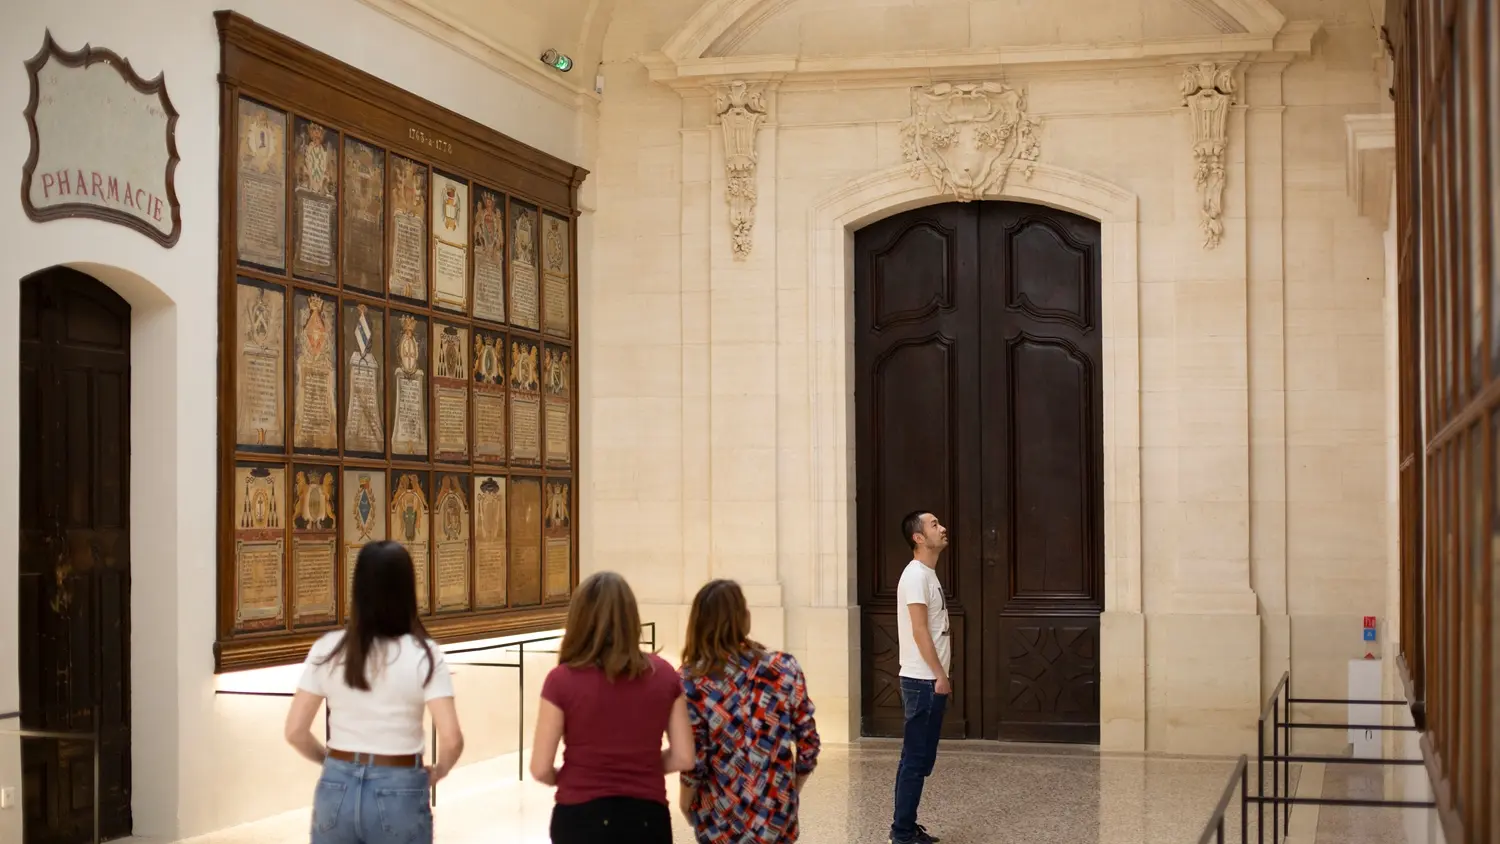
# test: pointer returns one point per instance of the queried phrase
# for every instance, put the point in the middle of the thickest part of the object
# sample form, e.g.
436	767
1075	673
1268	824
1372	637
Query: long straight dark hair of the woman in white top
385	605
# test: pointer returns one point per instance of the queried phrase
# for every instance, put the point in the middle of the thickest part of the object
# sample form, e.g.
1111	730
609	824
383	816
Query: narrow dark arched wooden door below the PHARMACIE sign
76	555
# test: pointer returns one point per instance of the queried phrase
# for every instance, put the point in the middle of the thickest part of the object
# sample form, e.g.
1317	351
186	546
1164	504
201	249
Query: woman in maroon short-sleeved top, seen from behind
610	704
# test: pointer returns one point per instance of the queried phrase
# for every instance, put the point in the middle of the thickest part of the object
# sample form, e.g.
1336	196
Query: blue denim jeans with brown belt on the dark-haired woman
365	804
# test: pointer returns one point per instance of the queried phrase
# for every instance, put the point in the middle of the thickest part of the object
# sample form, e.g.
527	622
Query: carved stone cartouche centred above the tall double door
970	136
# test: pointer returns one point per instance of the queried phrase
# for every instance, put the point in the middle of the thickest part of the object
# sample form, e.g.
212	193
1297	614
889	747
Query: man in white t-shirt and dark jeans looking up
922	626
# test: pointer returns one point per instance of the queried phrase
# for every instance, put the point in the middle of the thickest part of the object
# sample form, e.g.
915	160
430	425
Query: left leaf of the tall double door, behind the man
916	409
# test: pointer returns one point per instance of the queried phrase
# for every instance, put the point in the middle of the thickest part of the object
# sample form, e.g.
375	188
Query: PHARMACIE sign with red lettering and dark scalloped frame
104	143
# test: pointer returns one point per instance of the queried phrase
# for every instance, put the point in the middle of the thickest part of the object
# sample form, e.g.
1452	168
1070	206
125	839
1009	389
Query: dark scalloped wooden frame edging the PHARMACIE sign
88	58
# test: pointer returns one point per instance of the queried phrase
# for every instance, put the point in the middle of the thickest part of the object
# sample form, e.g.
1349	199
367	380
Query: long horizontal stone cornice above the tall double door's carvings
925	68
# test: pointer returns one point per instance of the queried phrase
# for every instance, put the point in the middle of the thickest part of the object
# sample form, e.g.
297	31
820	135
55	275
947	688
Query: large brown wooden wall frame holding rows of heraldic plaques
307	89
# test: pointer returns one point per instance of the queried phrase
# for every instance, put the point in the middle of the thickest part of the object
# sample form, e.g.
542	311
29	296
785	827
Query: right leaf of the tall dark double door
1043	474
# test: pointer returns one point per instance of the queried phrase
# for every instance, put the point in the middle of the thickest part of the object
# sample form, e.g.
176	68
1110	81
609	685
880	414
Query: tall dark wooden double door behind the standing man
979	398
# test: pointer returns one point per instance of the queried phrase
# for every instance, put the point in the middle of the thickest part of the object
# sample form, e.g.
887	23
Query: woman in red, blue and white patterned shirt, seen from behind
754	729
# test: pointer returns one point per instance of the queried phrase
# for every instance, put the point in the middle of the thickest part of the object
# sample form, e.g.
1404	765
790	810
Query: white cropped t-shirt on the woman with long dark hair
388	719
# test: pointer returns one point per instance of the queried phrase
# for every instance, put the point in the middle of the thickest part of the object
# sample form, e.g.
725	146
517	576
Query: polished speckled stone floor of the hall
980	794
